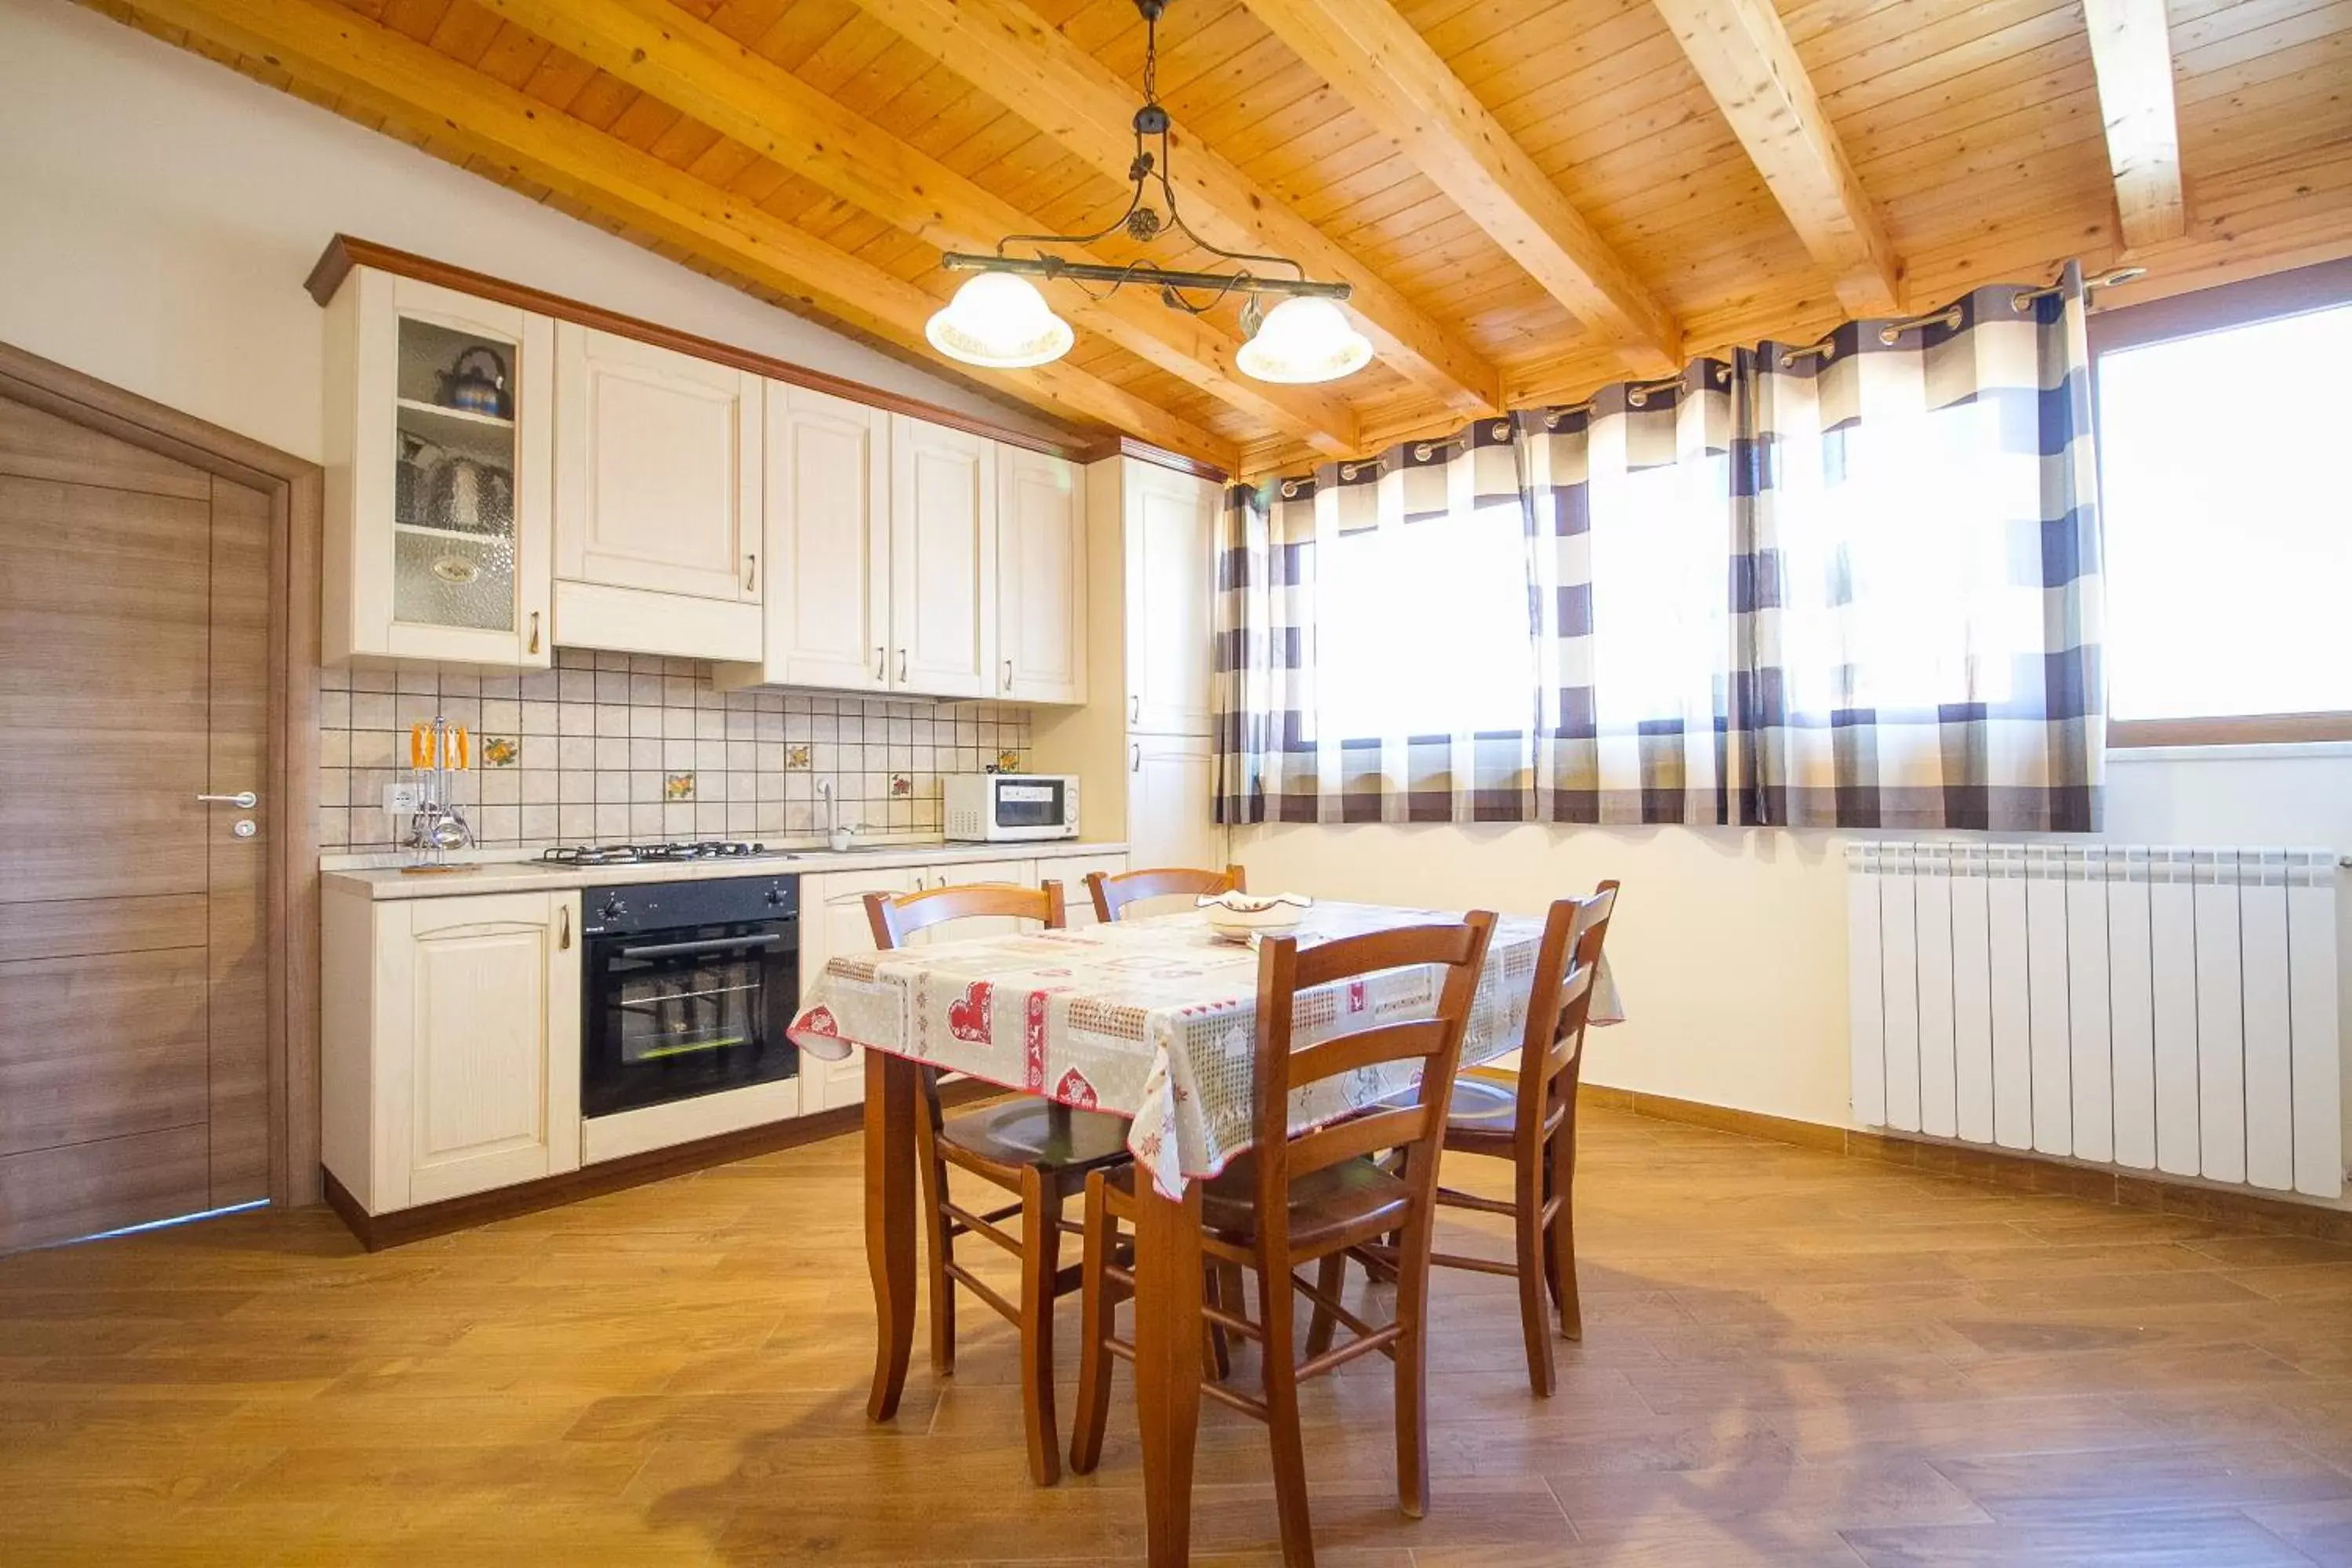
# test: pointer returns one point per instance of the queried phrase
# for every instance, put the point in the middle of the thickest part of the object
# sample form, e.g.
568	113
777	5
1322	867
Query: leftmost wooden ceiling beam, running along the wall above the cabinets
345	55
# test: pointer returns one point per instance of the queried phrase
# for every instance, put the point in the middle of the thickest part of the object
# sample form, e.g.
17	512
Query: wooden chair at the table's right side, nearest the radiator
1528	1120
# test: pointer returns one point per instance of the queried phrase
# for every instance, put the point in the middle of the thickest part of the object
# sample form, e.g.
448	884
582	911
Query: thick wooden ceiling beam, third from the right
1396	79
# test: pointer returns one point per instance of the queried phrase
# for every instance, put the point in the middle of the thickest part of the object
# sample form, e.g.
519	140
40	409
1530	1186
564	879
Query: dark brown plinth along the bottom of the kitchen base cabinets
403	1226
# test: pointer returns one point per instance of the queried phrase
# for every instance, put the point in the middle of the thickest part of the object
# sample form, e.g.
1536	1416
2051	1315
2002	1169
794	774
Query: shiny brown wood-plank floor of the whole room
1791	1360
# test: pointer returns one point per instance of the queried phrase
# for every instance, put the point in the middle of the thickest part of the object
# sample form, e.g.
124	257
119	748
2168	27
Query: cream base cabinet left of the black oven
453	1045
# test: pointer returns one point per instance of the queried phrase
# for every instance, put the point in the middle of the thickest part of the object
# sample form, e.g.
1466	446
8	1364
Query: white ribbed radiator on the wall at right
2151	1007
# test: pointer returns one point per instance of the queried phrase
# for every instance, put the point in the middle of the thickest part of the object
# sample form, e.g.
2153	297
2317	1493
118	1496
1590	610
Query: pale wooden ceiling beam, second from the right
1753	74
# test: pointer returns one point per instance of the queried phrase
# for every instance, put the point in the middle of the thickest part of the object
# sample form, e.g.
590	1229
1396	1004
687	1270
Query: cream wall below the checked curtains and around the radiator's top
1732	944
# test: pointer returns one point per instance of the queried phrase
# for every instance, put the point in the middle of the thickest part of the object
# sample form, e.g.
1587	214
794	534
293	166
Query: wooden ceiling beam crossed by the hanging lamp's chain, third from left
1020	60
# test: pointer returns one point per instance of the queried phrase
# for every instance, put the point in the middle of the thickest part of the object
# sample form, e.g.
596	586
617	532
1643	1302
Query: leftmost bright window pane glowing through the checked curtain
1422	629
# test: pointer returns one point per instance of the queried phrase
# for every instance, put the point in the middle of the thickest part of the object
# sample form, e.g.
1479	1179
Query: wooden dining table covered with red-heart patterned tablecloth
1149	1019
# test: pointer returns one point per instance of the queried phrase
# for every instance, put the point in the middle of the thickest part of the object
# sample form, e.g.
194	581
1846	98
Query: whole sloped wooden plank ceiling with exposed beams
1530	196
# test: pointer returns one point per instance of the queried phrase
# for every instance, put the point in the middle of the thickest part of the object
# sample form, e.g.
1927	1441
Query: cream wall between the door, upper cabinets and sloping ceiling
161	213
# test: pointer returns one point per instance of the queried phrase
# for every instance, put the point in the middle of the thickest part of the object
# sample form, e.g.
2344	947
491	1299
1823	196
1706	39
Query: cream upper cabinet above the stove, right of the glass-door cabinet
657	500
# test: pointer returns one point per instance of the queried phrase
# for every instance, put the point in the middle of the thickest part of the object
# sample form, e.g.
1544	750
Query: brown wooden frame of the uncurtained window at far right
2186	316
